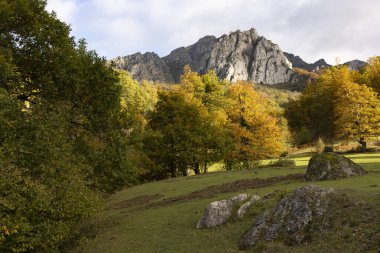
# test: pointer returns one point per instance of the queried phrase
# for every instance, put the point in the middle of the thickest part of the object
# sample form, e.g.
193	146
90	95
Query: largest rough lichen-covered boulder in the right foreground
292	217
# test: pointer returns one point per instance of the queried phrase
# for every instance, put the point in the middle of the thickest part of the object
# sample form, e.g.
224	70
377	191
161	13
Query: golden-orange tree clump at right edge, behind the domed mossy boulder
337	107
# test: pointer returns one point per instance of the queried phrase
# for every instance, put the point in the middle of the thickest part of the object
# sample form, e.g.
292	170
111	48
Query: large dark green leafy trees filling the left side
61	129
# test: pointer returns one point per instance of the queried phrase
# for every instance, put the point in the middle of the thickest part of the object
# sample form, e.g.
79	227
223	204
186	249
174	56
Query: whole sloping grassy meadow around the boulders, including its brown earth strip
161	216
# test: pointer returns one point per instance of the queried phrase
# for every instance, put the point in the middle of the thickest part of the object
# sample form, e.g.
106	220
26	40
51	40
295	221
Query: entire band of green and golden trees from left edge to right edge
73	129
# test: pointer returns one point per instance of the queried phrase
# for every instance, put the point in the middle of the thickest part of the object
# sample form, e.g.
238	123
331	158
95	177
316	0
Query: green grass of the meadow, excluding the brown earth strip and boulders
171	228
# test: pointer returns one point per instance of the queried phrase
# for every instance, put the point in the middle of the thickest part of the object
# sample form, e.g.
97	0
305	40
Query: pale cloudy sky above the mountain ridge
336	30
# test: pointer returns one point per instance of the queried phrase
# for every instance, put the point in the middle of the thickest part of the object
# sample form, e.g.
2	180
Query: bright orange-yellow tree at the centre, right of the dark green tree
255	130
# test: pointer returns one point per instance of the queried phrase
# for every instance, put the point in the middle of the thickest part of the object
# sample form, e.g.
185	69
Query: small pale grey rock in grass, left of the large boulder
218	212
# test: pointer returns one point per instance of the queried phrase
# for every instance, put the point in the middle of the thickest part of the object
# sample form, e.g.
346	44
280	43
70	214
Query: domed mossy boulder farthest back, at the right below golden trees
327	166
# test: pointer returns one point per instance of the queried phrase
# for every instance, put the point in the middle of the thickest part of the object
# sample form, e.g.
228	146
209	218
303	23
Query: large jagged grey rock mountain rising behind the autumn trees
237	56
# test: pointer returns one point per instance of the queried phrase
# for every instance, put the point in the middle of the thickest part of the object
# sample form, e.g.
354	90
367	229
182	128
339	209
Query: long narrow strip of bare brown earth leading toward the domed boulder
214	190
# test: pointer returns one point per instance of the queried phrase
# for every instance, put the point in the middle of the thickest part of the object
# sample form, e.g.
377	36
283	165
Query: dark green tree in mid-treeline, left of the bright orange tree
174	134
